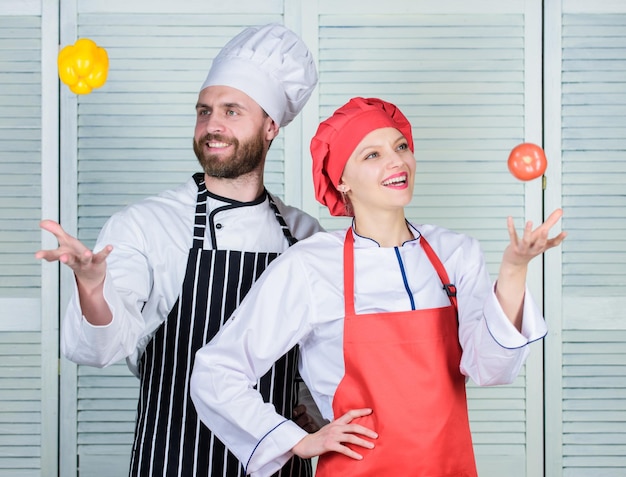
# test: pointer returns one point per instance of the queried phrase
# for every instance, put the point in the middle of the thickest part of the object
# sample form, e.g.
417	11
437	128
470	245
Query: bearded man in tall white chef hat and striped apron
172	268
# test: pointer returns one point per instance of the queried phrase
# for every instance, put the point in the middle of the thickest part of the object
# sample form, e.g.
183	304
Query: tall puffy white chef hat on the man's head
272	65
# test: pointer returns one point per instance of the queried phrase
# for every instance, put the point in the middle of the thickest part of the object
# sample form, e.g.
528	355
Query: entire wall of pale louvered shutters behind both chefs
465	73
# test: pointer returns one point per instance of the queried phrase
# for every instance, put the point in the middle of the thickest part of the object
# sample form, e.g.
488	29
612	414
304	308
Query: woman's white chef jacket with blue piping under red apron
300	300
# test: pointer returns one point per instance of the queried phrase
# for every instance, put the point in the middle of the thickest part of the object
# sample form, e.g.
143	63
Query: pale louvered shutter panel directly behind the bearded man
134	139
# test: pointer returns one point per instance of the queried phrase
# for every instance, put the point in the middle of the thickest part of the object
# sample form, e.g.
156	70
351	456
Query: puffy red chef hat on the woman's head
336	138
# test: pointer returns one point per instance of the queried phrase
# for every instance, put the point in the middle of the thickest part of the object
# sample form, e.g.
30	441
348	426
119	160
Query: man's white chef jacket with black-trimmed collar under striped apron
146	268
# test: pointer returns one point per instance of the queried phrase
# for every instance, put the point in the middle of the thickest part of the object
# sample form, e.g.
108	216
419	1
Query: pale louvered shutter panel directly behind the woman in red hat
467	75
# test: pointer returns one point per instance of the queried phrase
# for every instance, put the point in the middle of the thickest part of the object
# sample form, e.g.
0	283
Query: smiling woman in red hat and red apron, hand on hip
391	319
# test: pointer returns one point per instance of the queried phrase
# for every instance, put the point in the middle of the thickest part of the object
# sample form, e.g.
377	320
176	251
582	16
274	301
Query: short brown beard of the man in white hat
246	157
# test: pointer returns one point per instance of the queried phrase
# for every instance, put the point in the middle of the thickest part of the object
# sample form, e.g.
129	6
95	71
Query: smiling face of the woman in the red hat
380	173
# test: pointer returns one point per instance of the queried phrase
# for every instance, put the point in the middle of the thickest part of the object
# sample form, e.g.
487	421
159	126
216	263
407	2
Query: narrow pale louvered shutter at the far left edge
28	289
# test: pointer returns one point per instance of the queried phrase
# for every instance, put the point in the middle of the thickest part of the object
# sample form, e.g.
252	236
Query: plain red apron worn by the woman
404	366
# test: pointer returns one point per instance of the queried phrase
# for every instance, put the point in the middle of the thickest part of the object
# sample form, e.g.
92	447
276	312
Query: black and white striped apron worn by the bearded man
170	440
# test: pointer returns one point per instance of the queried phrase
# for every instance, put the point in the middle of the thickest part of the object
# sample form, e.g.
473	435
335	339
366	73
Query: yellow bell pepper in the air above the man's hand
83	66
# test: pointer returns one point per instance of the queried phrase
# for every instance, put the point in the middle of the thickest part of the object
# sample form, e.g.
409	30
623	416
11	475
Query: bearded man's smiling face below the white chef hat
232	133
